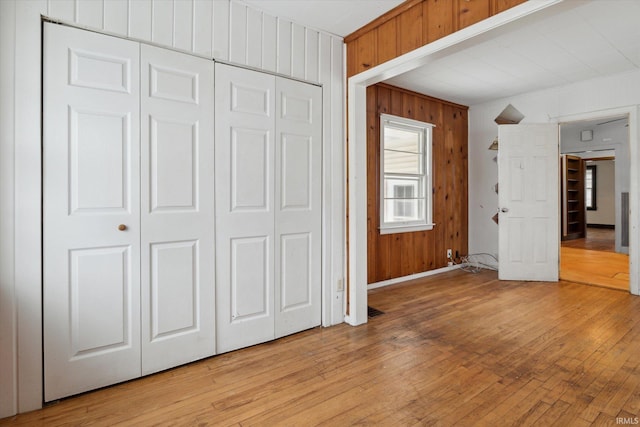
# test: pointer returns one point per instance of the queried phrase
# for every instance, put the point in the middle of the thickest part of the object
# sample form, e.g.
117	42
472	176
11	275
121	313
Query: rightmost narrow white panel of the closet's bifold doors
298	194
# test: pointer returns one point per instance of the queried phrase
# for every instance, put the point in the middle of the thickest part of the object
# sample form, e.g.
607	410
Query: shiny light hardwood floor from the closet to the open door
453	349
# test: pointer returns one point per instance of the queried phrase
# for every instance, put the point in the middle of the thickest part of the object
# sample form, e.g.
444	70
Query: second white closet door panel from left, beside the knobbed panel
177	259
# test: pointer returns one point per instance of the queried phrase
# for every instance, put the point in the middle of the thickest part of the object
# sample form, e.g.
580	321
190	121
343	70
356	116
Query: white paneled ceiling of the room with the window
581	41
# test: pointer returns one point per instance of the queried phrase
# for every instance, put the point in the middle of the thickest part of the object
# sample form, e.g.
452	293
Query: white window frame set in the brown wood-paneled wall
426	179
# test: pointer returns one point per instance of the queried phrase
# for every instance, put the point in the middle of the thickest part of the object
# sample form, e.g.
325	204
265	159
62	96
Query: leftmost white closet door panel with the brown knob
91	215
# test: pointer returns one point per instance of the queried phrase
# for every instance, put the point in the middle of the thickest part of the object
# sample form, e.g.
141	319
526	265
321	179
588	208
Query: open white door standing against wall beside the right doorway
528	177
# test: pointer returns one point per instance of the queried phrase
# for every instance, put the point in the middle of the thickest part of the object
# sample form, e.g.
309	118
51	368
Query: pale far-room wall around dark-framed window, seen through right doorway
605	212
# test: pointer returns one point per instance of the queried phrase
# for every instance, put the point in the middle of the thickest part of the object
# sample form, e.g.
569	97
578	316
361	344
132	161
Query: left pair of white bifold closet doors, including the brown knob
129	282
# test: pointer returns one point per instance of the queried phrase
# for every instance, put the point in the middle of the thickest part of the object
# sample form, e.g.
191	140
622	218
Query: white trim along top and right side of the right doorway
634	186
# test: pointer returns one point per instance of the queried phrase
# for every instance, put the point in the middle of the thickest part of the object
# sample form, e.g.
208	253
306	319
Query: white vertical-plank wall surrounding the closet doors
226	30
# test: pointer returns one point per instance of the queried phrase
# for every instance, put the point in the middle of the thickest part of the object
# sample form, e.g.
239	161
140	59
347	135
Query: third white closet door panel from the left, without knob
245	107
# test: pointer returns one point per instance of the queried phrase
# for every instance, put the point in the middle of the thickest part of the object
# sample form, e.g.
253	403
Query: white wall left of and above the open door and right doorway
599	96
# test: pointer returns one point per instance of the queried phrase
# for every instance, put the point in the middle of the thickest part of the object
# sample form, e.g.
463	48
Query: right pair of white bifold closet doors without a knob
268	206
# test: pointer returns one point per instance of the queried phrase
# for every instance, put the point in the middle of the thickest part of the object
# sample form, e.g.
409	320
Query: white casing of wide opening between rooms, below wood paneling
357	137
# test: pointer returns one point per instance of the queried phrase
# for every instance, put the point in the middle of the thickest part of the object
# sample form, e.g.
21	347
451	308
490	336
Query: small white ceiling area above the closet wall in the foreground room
340	17
